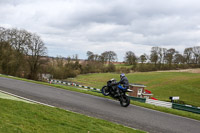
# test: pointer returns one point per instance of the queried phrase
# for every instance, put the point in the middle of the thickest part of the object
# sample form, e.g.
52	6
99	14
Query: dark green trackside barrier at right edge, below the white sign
186	108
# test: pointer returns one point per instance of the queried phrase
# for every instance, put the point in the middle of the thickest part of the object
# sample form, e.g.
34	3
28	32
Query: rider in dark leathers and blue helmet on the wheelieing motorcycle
124	81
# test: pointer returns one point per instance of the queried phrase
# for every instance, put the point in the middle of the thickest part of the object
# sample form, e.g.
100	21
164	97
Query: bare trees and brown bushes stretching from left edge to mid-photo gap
24	54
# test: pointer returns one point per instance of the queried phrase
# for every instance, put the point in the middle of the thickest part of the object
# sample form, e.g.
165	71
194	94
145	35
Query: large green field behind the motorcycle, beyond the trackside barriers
162	84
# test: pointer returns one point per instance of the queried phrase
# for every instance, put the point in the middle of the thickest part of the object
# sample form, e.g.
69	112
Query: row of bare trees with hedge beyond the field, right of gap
164	59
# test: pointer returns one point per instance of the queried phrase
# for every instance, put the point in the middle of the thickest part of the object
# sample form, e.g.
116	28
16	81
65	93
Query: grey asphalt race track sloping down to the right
132	116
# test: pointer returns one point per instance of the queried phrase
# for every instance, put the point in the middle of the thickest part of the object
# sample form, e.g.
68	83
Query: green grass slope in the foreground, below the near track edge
20	117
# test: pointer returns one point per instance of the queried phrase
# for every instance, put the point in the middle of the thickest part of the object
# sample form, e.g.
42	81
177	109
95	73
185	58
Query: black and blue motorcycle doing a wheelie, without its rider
111	90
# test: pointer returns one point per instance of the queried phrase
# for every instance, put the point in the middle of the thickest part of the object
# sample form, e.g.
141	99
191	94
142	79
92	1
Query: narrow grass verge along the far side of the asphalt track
162	109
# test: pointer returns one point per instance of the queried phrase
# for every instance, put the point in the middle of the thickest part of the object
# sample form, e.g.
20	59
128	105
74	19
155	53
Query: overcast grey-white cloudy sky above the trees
70	27
